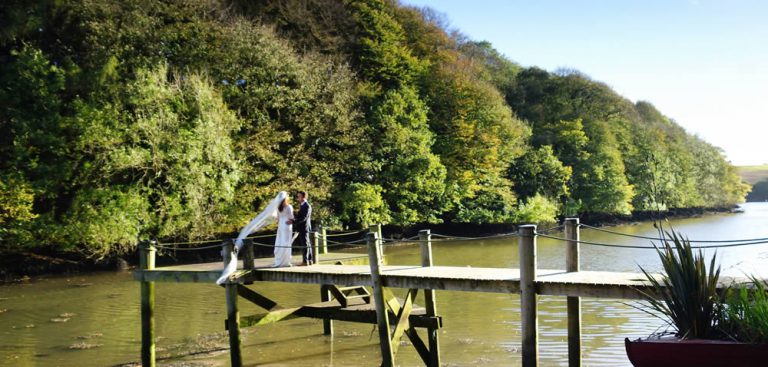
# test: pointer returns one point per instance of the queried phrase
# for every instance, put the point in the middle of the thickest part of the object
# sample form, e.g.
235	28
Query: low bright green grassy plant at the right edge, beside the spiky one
745	312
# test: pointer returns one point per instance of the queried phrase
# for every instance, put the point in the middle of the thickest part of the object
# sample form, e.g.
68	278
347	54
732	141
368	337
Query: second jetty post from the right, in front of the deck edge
528	314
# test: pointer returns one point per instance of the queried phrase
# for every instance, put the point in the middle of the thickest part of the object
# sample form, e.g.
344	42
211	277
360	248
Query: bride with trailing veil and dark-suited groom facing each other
280	210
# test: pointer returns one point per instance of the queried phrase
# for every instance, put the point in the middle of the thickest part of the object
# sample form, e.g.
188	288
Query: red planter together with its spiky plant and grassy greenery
709	326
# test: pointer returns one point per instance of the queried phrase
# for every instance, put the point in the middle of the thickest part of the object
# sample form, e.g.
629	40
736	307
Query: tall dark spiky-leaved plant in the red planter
686	295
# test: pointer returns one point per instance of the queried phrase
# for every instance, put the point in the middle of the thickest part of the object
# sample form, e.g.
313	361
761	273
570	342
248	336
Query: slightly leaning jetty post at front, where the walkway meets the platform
382	315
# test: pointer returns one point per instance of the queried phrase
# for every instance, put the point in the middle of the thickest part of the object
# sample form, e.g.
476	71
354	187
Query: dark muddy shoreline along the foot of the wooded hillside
20	266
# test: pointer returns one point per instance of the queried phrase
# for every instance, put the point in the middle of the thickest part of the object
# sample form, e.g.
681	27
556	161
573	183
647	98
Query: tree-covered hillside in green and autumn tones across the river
180	119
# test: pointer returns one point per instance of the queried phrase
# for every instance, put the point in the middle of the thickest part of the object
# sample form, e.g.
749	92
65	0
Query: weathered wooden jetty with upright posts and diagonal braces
345	295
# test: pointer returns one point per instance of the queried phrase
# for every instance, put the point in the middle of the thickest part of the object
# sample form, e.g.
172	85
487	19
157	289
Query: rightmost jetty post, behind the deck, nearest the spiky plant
574	303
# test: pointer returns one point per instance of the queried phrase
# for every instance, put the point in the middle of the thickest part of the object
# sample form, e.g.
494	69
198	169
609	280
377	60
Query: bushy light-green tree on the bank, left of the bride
161	165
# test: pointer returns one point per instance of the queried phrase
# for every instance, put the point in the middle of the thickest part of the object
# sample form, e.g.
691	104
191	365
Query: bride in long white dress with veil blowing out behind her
277	209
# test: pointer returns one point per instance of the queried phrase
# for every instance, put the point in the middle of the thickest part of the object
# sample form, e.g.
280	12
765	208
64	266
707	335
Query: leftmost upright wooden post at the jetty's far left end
147	262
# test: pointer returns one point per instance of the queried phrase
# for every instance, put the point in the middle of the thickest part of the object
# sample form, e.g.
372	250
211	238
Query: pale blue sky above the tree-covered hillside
703	63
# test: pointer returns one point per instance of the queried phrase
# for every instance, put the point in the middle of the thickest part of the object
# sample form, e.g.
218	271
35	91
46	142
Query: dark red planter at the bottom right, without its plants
673	352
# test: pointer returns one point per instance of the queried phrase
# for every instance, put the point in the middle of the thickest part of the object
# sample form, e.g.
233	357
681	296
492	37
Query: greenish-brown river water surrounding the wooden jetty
93	319
